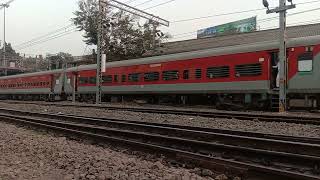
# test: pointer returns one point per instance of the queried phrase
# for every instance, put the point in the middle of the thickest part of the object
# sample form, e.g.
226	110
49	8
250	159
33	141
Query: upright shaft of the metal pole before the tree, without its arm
99	53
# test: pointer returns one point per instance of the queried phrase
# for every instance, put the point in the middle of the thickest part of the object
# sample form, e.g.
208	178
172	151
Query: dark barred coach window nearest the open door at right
248	70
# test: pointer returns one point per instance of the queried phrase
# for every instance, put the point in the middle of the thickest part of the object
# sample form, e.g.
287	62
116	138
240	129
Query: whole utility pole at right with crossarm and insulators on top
282	10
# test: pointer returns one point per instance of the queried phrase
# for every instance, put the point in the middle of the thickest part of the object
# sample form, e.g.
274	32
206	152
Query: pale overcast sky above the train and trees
28	19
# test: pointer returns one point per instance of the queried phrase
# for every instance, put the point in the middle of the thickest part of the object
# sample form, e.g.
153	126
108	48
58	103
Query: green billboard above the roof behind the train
242	26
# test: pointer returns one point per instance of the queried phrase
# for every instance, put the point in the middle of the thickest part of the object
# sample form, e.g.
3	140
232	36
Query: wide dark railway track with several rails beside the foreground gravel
219	150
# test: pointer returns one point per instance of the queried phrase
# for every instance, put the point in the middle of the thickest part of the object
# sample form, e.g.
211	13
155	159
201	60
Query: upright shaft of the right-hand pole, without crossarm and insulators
283	58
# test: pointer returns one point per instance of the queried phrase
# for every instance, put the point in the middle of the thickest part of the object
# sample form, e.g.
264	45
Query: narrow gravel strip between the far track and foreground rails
280	128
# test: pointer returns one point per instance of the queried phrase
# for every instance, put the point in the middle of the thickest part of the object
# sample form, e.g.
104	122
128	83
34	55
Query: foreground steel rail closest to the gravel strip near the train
299	145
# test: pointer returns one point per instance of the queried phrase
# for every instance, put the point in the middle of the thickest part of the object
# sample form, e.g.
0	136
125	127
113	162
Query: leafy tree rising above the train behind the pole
126	37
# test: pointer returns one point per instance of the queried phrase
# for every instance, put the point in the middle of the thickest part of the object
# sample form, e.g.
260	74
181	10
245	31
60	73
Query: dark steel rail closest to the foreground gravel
203	160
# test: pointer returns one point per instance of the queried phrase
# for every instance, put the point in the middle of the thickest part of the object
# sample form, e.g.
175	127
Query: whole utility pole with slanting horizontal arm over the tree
101	45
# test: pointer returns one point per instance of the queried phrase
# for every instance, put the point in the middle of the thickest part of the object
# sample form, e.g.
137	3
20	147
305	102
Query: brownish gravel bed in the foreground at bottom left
29	154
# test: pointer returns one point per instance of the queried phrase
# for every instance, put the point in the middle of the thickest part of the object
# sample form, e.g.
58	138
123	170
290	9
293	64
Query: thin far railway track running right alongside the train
209	114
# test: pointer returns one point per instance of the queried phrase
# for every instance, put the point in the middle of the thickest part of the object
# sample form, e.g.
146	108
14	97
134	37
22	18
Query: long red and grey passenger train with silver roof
240	76
